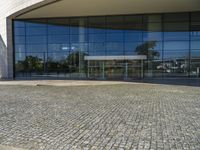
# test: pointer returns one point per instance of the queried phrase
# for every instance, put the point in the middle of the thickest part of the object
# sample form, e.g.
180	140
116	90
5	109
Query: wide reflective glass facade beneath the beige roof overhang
56	47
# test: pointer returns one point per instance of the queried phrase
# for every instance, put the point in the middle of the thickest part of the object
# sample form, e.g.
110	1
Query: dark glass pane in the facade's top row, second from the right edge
176	17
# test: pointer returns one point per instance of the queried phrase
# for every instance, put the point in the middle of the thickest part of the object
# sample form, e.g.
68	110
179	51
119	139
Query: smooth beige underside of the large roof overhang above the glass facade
69	8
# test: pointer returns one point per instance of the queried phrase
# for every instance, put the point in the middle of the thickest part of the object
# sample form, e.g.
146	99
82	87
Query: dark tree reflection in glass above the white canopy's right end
147	49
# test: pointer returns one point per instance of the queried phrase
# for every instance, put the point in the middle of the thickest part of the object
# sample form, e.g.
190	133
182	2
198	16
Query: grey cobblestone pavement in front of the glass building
100	117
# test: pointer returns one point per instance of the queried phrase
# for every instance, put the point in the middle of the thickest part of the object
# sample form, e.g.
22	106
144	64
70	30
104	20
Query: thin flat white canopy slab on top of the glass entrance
133	57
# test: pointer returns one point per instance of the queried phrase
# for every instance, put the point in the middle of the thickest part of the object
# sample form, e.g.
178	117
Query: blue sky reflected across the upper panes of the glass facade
111	38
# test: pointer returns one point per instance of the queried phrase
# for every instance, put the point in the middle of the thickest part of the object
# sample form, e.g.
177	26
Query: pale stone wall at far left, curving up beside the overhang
9	9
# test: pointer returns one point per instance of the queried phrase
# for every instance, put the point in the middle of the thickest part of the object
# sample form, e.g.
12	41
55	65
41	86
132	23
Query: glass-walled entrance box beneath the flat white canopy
115	69
